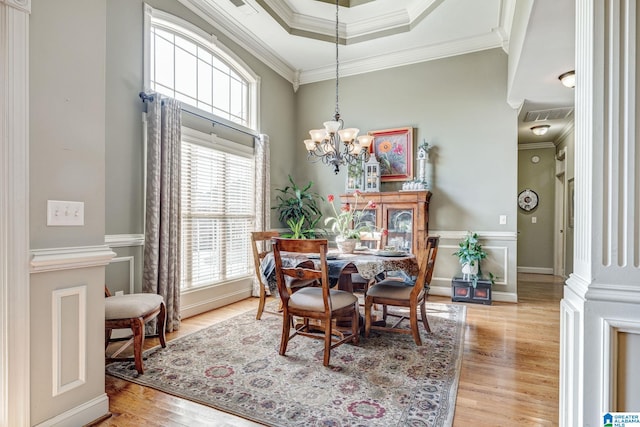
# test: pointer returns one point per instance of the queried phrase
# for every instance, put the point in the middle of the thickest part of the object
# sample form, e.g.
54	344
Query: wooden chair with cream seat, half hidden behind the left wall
133	311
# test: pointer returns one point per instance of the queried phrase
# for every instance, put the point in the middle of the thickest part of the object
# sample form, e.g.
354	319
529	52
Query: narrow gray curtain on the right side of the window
263	192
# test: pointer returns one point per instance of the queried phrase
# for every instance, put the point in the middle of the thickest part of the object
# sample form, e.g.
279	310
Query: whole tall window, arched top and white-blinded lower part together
218	201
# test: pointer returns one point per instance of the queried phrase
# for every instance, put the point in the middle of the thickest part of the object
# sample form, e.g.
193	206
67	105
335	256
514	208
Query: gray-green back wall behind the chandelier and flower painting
463	114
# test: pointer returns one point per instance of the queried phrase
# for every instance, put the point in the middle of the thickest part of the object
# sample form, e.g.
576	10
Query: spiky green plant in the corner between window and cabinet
298	208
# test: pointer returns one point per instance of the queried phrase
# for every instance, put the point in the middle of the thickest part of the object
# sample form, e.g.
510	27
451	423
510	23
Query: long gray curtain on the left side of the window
162	218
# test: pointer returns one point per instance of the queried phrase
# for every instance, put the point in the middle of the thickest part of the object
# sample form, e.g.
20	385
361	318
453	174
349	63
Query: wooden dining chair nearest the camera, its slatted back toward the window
313	303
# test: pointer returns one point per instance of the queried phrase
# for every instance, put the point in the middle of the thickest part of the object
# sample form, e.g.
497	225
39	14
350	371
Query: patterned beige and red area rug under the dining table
387	380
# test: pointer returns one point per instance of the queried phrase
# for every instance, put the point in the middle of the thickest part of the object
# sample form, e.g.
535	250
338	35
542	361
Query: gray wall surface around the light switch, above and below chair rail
67	162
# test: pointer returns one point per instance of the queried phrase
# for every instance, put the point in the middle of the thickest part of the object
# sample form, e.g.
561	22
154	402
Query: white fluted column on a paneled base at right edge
600	311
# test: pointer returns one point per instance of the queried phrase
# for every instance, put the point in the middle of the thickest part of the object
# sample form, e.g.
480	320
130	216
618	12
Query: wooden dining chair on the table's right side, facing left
393	292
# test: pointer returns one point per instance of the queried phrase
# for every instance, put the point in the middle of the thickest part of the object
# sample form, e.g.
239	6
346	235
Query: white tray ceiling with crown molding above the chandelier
297	39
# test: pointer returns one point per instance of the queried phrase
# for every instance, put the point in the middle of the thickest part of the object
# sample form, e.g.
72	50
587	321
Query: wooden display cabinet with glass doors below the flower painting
404	214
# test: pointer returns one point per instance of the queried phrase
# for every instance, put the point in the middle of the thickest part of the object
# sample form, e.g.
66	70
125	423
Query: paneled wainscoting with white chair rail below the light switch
66	289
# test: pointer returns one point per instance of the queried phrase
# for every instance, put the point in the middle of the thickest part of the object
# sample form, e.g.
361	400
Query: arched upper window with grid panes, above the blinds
187	64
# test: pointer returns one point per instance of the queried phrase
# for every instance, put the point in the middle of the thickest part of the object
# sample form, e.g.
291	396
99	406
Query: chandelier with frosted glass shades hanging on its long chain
335	145
